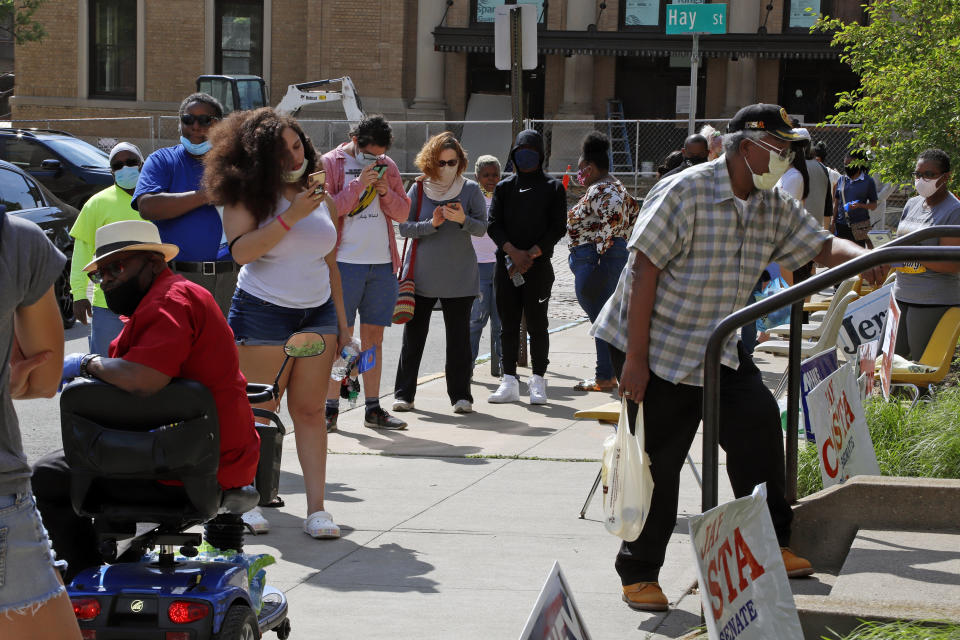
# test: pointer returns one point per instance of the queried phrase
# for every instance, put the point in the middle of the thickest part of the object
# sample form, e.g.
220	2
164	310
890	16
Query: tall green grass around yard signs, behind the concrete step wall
924	442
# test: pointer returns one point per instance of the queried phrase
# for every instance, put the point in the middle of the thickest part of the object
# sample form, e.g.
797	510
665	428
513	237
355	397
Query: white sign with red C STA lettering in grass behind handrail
843	439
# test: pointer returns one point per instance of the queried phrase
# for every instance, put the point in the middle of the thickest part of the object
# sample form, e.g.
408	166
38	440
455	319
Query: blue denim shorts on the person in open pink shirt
370	289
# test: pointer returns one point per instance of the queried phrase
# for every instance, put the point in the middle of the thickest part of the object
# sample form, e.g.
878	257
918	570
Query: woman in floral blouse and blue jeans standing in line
599	225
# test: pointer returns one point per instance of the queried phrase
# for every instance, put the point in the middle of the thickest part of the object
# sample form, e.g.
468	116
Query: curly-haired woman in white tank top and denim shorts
282	231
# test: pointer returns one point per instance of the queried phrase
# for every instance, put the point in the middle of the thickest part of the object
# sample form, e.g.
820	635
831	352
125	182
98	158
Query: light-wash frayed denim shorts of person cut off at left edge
27	574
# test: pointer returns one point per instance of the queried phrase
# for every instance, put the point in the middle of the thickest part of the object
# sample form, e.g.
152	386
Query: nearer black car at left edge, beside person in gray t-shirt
24	197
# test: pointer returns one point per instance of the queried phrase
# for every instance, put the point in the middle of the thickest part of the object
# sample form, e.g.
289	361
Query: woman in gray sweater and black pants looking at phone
446	209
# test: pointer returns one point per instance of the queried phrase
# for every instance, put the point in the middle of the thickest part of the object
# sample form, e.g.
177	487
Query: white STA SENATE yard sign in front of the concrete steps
743	583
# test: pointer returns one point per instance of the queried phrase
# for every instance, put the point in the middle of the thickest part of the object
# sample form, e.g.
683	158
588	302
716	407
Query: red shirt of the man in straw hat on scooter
178	330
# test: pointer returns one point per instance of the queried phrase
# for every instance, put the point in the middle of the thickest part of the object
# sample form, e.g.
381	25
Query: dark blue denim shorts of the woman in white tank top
257	322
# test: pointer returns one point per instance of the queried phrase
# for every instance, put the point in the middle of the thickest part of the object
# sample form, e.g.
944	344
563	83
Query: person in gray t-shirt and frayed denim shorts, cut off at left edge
33	602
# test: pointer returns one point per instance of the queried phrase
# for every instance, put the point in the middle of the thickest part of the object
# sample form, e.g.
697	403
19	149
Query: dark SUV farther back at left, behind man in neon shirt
72	169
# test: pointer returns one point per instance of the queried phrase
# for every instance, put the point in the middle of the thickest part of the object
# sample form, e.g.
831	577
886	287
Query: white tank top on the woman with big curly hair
293	273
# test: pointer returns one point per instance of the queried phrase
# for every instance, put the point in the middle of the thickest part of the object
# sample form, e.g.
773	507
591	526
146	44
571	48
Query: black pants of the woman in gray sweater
459	365
